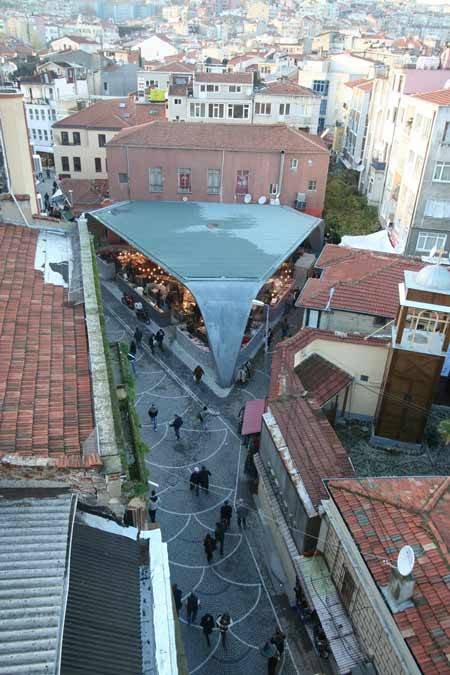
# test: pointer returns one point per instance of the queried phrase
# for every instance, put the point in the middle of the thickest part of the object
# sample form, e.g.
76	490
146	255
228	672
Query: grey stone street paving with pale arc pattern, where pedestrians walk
237	582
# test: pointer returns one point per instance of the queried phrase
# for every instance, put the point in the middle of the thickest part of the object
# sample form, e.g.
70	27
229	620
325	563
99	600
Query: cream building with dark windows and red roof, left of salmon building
80	139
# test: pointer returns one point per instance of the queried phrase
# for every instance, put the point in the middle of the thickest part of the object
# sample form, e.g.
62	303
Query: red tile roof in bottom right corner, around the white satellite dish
384	514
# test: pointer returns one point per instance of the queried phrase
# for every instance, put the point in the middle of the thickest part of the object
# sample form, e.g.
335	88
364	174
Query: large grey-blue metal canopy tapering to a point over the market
223	253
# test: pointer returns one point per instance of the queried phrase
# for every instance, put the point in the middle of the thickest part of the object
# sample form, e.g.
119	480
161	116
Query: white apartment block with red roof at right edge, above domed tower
415	200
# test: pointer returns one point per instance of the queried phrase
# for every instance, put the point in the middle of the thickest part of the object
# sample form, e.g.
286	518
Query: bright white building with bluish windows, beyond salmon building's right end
327	77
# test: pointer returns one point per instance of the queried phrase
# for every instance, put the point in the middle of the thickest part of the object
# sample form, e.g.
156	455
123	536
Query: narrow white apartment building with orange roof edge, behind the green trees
356	122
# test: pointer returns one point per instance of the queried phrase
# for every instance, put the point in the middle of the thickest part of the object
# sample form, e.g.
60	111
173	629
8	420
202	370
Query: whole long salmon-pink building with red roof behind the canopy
173	161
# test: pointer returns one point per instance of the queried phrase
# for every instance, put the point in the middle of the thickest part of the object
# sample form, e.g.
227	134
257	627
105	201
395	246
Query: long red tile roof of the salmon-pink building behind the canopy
243	137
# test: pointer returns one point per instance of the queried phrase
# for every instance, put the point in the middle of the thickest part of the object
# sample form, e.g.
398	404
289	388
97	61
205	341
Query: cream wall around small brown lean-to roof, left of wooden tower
360	361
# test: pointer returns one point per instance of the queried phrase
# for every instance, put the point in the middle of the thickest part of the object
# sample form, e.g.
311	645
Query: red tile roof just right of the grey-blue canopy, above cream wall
363	281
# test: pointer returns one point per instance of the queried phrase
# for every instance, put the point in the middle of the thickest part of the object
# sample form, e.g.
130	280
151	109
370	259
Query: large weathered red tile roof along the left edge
45	388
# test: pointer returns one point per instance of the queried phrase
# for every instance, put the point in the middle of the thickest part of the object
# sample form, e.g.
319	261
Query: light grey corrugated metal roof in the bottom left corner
34	536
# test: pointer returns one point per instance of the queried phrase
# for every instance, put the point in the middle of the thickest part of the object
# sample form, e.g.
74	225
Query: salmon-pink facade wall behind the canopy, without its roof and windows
263	166
